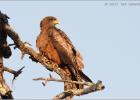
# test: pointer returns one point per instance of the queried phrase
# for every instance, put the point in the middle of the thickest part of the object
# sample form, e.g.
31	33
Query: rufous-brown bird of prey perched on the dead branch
56	46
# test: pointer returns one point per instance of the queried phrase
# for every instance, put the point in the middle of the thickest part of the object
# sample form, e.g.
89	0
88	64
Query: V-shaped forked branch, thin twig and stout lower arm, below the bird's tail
92	87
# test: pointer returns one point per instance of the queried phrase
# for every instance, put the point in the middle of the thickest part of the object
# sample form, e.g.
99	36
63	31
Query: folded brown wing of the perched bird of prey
67	51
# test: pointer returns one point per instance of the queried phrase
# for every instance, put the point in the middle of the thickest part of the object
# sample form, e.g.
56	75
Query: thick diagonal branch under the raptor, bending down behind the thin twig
39	58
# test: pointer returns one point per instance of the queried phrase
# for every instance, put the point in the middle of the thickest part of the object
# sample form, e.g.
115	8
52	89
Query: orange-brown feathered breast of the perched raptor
46	47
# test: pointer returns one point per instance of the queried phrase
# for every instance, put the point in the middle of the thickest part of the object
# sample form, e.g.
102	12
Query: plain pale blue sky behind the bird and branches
108	37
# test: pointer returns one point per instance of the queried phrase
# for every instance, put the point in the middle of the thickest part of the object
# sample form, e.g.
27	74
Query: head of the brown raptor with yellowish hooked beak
49	21
